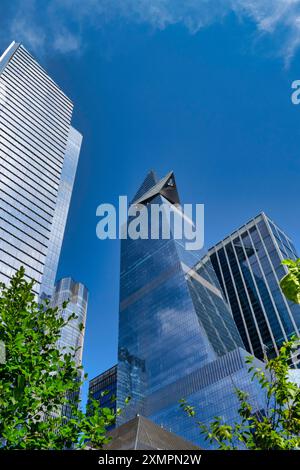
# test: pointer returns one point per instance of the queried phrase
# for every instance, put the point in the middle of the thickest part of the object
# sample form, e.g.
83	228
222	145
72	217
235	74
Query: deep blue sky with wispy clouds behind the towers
165	84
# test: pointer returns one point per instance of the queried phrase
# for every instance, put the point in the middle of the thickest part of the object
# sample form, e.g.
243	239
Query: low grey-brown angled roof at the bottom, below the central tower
142	434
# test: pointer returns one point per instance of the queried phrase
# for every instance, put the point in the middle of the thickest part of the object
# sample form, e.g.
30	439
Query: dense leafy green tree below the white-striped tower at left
40	384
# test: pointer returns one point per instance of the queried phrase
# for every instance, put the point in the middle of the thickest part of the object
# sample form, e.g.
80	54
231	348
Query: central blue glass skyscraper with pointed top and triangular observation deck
177	338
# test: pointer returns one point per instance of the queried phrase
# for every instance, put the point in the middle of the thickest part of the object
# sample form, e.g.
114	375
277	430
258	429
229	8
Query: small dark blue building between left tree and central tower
103	388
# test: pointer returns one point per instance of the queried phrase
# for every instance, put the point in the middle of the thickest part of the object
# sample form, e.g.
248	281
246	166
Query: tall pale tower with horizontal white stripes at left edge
39	150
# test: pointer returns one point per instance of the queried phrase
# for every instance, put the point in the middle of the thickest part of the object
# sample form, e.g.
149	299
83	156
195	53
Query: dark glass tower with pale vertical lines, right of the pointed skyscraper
248	266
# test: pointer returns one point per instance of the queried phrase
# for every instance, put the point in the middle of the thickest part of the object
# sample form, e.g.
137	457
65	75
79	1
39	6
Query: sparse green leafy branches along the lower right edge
278	426
